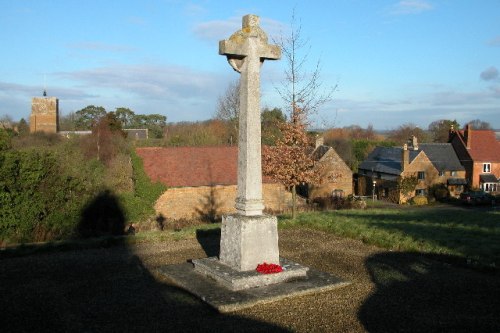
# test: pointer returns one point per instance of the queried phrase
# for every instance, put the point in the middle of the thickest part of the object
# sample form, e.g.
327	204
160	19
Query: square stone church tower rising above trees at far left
44	114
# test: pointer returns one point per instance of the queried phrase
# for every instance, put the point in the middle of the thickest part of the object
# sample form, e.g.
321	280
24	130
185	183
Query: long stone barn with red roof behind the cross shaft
202	182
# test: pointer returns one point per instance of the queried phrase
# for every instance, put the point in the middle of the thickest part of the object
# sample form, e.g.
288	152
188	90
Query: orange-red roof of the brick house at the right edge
484	146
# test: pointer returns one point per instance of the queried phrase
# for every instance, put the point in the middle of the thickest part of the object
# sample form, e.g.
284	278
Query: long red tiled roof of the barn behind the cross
191	166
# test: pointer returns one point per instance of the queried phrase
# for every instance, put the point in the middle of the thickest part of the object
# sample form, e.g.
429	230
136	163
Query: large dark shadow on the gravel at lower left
104	289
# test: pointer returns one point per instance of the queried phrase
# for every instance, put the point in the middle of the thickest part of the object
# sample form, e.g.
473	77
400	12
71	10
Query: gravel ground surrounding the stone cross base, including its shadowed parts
116	289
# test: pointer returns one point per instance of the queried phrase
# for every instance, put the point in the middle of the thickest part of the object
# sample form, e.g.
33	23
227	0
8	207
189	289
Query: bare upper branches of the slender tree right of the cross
301	89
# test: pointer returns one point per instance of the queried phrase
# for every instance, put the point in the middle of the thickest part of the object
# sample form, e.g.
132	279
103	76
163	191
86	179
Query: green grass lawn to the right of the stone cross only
472	234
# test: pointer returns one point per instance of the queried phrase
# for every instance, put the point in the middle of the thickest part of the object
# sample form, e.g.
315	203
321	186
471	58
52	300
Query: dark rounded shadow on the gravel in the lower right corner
415	293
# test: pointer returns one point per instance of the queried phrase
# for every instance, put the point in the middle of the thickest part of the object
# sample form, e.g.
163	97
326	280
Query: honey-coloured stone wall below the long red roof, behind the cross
211	202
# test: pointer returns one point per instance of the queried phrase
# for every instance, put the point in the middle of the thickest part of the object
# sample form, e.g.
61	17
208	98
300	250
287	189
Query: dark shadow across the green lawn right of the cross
473	234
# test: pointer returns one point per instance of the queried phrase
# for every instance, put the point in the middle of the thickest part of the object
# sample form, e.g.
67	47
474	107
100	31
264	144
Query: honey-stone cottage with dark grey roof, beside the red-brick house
430	163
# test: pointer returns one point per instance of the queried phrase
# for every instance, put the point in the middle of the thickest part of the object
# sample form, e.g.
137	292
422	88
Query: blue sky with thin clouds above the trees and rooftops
393	62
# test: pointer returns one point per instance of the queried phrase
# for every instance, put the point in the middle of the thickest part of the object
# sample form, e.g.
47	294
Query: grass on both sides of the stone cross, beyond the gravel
469	234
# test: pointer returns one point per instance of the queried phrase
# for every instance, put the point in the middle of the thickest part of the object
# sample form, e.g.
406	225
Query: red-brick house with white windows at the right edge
479	153
